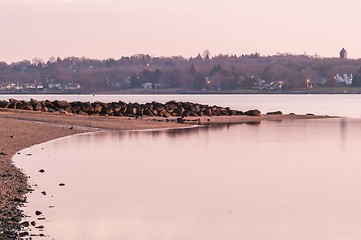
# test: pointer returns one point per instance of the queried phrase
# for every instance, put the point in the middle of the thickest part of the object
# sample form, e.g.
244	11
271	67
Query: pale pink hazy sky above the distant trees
114	28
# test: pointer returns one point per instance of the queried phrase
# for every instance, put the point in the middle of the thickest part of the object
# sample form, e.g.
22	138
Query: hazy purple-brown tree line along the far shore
221	72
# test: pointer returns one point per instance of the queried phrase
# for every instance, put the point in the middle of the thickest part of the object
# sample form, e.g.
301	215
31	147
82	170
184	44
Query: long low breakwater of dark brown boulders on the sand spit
153	109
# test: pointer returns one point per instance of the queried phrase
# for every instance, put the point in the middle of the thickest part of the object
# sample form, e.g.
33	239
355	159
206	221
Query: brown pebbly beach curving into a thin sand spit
22	129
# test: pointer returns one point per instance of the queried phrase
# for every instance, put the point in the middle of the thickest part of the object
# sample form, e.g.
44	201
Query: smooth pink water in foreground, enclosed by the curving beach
283	180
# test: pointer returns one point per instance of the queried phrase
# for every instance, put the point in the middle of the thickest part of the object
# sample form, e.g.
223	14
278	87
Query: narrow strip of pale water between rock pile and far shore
340	104
